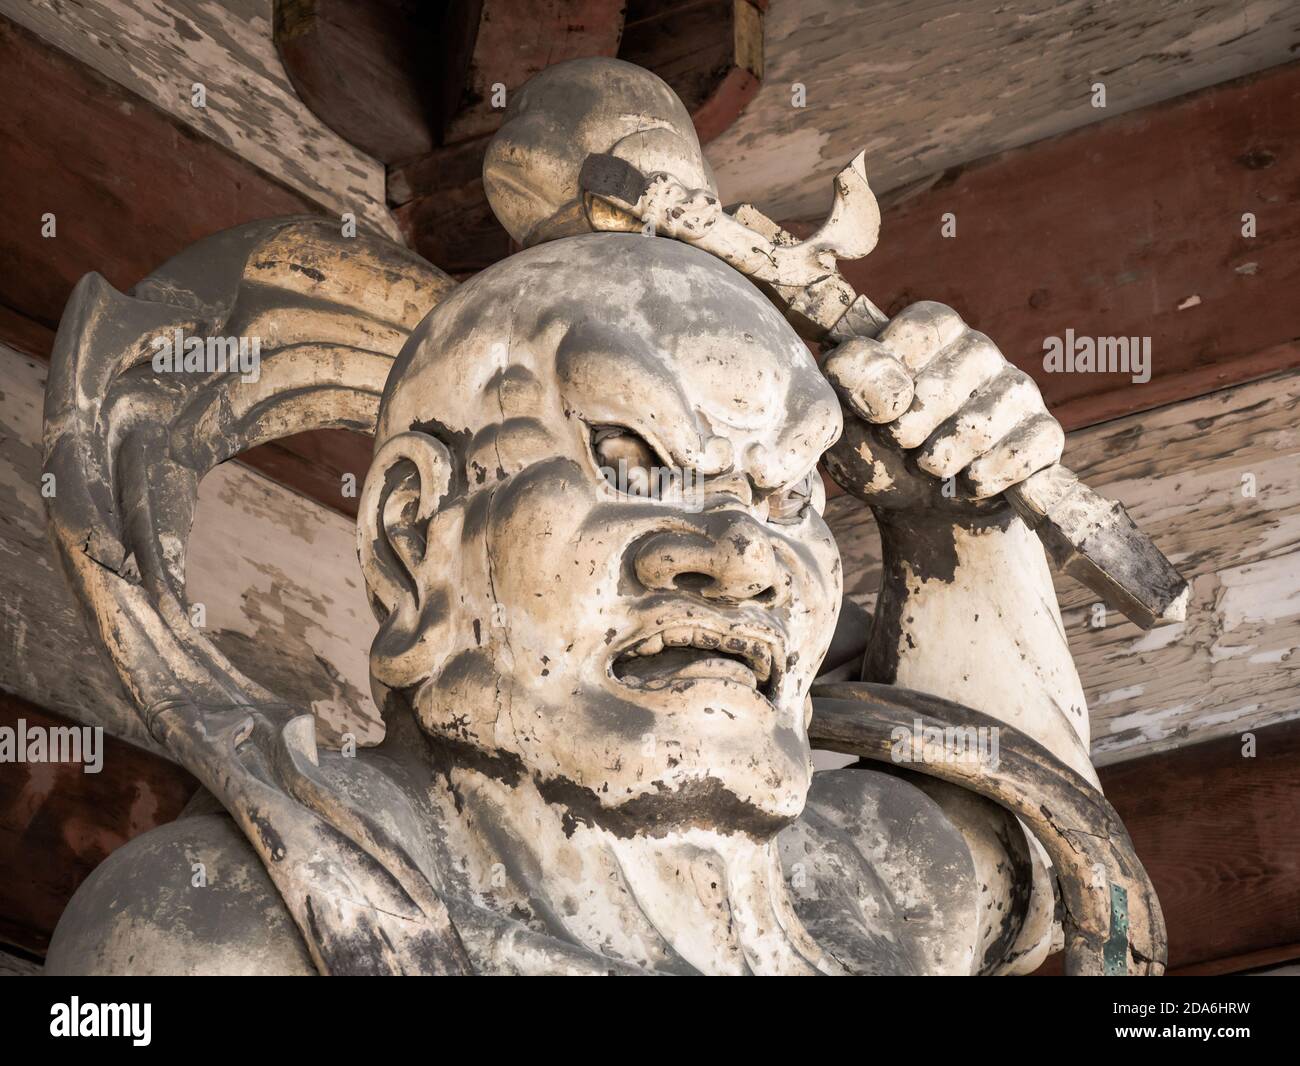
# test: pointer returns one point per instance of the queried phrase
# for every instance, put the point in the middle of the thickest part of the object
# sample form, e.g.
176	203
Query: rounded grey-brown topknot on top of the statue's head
571	111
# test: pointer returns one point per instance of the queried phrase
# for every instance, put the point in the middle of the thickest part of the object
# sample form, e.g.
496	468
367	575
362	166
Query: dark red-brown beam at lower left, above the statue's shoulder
58	824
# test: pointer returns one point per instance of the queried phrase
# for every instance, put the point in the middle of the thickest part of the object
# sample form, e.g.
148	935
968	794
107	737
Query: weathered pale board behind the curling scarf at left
276	574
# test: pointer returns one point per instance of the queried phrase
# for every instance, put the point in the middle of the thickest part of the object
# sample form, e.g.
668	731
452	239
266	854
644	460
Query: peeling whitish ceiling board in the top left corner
159	49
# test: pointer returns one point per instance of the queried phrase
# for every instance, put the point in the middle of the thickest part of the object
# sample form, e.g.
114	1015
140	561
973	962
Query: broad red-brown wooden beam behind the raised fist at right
1129	228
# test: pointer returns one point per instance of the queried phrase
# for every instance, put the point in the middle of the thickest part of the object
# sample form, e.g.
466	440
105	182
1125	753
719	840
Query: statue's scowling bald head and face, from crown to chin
630	587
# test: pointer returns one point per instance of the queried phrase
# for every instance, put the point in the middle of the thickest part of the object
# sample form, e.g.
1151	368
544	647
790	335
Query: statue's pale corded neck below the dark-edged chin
687	902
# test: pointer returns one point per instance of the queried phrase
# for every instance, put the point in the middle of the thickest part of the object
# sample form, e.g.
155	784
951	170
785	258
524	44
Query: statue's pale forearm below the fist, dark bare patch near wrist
968	612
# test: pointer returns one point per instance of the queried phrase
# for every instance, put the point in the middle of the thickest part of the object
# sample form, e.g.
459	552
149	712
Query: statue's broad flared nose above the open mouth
727	557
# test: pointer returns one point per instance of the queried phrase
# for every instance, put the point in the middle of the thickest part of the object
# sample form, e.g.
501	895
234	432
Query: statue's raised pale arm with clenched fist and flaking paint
938	424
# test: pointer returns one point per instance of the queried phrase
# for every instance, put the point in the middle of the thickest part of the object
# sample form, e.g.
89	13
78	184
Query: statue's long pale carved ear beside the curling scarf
409	482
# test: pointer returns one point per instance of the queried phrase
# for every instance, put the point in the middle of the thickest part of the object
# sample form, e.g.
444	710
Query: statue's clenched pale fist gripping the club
933	400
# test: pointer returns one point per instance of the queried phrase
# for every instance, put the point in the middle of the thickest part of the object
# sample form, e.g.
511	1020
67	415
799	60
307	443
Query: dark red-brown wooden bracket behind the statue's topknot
710	54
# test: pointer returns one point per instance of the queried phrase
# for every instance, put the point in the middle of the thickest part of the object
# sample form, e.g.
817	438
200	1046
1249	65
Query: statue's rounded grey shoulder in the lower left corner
144	911
